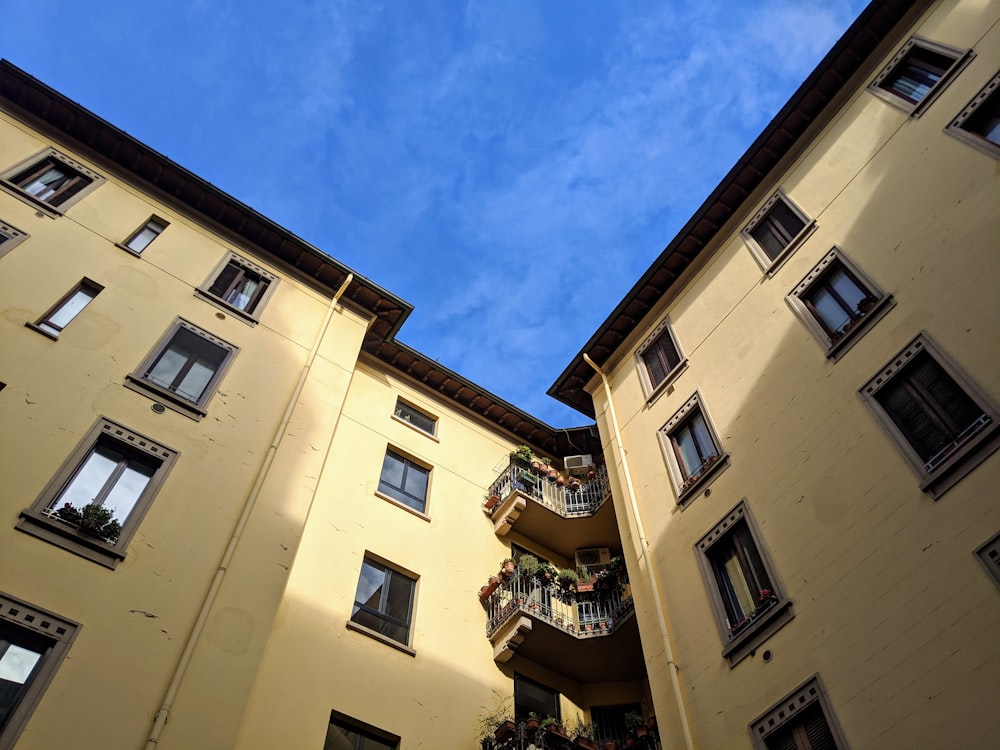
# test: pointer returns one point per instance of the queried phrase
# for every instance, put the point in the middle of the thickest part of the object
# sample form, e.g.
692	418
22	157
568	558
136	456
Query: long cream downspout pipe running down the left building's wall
162	715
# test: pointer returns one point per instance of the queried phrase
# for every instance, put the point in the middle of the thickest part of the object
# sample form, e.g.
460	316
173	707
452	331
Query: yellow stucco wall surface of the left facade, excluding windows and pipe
55	390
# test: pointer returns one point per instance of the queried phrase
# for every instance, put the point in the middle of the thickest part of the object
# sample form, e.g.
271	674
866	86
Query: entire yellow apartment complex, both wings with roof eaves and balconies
241	513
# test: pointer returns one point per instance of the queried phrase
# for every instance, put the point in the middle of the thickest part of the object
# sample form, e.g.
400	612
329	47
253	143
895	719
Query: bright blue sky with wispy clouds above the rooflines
510	168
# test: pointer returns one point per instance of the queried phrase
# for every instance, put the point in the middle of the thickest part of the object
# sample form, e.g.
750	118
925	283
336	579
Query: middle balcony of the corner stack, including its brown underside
589	636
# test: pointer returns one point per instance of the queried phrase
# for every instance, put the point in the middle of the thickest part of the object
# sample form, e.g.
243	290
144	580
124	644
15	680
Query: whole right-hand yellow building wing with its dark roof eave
803	420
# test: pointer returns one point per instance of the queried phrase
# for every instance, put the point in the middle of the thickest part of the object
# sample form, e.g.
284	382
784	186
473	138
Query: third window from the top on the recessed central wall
384	601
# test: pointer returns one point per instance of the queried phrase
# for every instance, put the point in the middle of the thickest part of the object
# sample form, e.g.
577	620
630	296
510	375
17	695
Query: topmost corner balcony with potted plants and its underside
537	507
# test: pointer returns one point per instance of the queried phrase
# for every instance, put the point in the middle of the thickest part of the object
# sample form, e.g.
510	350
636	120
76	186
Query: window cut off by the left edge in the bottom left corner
33	644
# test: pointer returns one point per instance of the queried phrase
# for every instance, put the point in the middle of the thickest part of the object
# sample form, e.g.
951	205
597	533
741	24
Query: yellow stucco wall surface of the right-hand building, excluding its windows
892	609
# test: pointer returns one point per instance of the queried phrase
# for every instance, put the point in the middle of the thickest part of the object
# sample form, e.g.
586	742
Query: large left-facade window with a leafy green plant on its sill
95	502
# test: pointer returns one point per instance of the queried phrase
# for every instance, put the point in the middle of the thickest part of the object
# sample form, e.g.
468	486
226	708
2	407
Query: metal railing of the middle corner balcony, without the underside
584	616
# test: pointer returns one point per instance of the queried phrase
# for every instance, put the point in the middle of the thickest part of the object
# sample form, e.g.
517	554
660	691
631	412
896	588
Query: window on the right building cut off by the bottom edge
802	720
